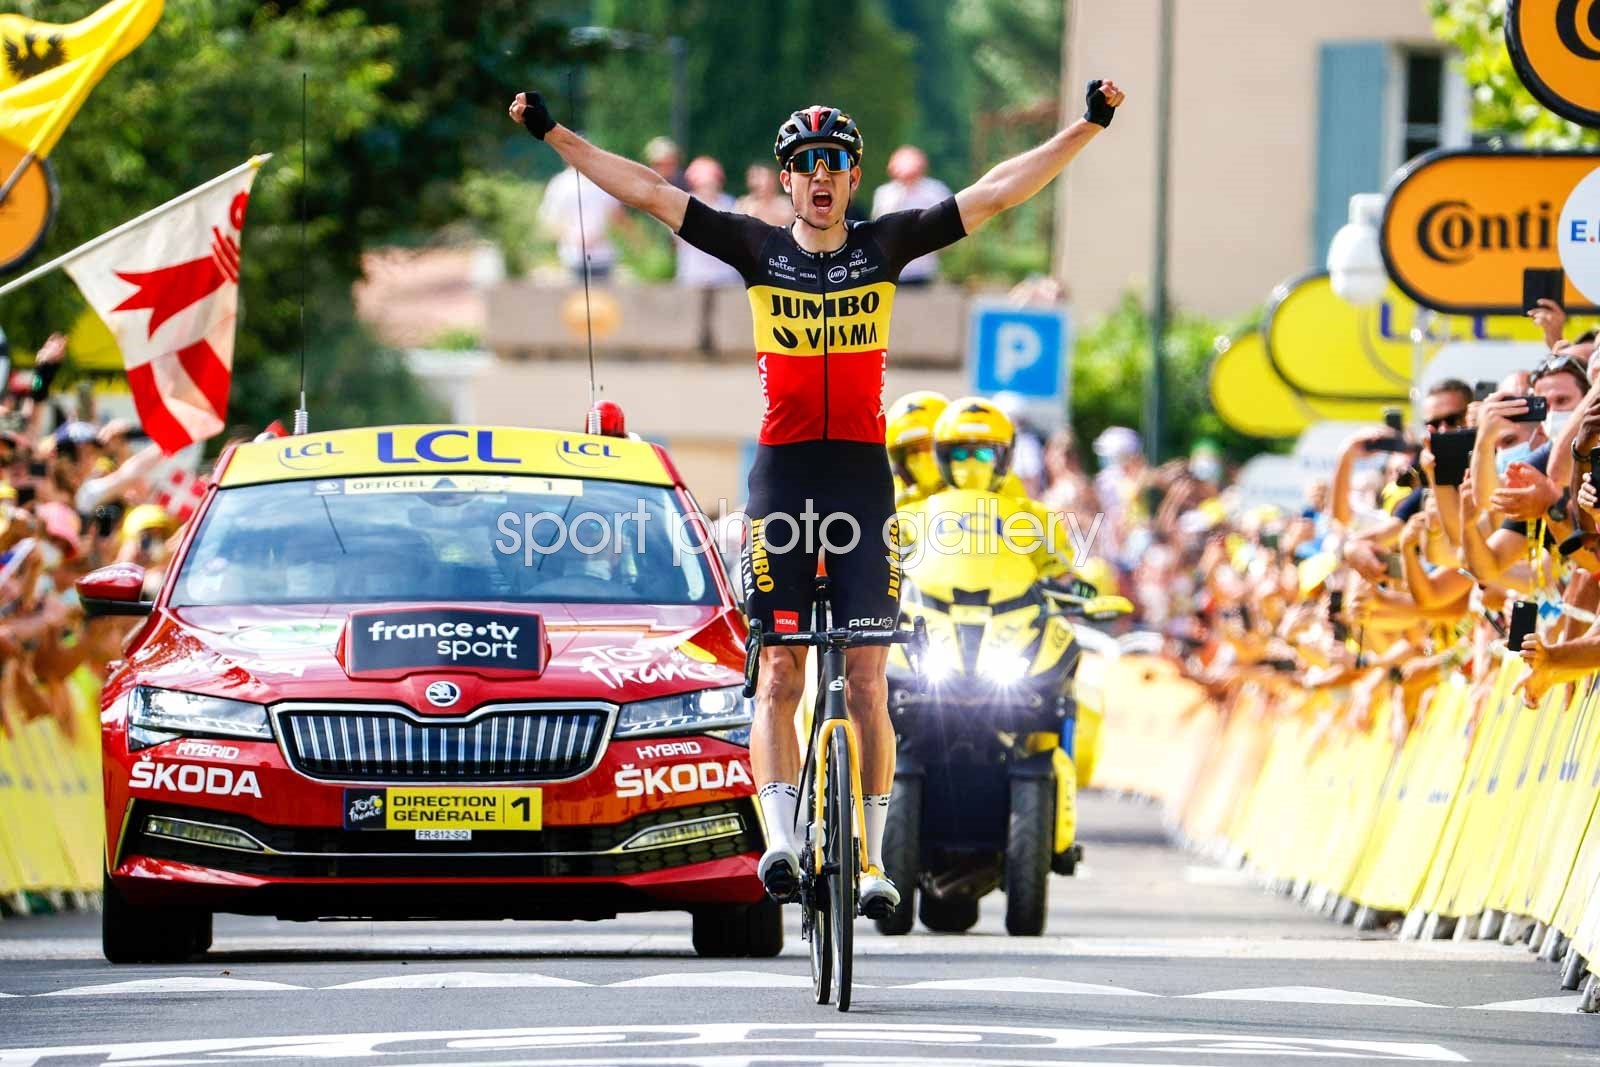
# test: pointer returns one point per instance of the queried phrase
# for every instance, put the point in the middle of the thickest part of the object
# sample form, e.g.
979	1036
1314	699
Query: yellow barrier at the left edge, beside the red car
52	825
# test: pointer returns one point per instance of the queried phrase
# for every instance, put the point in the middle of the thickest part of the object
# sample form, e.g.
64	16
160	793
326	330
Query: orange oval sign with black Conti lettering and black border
1462	226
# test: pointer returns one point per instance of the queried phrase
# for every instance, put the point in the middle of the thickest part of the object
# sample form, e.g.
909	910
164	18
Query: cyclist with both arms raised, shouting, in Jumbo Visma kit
822	294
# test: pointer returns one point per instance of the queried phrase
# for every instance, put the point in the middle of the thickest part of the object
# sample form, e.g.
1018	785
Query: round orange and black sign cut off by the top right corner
1556	49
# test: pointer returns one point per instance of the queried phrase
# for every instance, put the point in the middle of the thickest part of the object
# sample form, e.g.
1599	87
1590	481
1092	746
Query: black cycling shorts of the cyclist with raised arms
822	498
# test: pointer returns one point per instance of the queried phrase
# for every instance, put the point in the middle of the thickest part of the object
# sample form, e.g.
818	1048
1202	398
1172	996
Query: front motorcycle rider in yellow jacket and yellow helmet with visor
972	447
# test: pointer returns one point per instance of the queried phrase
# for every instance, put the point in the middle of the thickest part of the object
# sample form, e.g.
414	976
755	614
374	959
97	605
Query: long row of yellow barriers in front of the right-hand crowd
1481	805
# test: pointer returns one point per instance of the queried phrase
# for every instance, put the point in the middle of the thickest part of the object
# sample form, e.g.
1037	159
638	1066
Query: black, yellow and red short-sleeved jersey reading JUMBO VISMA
822	321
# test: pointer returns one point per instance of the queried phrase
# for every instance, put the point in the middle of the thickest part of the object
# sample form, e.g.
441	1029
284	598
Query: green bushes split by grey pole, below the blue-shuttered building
1111	364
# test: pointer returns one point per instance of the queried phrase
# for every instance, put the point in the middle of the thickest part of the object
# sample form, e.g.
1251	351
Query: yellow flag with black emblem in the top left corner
49	70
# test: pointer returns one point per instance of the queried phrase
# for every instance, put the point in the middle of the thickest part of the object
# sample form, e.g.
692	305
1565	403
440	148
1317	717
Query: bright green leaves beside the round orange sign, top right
1502	106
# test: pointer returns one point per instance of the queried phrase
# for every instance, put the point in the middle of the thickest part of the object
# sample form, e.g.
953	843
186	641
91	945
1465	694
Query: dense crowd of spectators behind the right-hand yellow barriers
1428	553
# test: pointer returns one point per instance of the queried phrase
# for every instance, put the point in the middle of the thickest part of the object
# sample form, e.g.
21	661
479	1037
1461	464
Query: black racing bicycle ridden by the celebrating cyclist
830	817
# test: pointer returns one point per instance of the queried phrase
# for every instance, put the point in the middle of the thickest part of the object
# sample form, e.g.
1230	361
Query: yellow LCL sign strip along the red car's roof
428	450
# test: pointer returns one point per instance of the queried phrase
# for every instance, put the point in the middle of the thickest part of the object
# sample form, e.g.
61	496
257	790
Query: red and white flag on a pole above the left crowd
167	287
